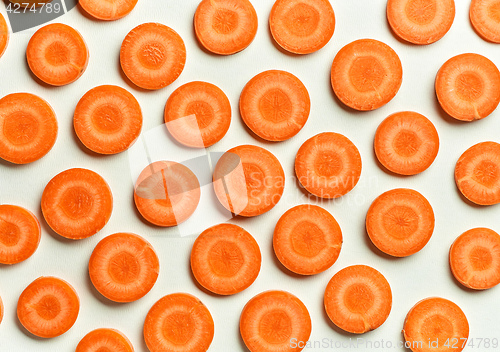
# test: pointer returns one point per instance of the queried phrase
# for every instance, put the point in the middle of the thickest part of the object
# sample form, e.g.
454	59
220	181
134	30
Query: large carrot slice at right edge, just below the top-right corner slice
468	87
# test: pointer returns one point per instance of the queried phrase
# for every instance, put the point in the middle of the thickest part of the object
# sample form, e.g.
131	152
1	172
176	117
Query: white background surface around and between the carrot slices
419	276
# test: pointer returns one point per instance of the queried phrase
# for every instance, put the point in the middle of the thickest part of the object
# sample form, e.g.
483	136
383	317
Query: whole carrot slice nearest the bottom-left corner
48	307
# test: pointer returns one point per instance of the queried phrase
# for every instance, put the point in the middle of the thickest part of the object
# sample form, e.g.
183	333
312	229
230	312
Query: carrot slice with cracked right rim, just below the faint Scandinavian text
307	239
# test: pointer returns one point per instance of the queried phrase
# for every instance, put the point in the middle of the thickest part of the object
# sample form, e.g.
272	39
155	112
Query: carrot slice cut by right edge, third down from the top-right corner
477	173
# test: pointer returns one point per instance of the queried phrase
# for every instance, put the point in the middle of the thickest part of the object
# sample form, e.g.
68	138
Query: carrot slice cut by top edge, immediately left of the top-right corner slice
420	21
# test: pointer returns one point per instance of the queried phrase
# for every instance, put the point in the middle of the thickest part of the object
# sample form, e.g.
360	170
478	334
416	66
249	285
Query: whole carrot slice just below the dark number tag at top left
57	54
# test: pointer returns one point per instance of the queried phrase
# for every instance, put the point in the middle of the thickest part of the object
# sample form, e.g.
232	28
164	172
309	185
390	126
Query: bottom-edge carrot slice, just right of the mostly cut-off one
178	322
